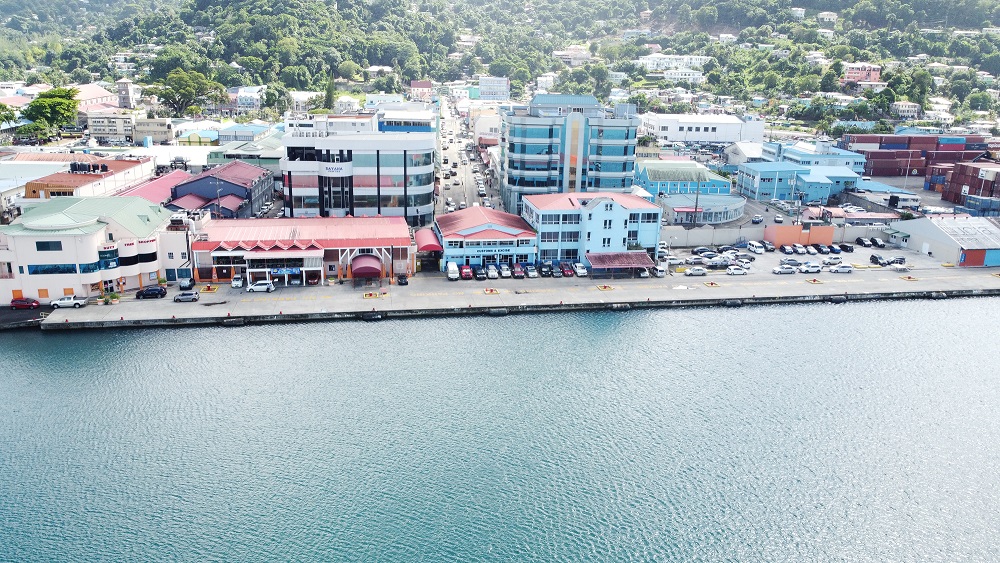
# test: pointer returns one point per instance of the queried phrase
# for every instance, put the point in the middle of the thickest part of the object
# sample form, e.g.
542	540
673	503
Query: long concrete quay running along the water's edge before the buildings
429	294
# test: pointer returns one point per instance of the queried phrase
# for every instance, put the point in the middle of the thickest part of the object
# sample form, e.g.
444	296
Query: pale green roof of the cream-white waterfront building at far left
84	215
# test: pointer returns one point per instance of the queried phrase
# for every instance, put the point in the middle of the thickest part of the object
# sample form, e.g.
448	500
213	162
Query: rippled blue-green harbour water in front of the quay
860	432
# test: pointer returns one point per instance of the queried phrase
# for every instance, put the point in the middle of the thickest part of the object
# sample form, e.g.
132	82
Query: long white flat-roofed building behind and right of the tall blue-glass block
702	128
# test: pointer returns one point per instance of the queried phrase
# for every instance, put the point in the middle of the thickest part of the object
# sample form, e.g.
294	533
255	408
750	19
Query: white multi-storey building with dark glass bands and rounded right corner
336	166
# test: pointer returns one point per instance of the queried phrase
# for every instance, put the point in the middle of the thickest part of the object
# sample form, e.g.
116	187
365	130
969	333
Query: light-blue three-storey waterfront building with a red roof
571	226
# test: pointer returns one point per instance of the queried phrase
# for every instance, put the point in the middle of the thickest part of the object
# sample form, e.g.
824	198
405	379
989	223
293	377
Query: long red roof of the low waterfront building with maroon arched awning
320	232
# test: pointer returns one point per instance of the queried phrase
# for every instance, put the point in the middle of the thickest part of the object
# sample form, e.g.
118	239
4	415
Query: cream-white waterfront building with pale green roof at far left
91	246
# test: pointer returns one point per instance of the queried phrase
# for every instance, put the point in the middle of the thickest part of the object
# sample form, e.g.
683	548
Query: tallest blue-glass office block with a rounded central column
566	143
